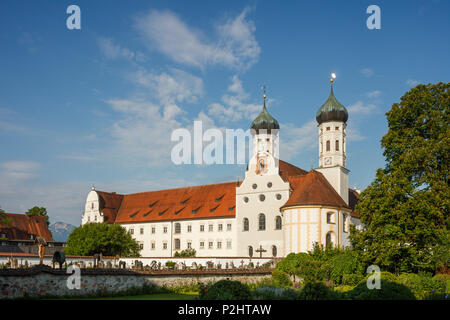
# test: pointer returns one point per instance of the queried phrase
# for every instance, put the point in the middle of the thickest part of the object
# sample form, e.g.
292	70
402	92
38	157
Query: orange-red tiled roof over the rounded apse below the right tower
313	189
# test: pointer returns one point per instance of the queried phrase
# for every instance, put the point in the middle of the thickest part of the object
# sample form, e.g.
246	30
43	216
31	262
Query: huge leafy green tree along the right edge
406	208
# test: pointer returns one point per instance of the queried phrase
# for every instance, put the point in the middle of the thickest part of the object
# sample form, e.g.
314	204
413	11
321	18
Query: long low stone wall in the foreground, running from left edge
43	280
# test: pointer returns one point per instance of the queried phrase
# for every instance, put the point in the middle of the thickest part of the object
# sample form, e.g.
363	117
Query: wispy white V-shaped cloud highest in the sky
234	45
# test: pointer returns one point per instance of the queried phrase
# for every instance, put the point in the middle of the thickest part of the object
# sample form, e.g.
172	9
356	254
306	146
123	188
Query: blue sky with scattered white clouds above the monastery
97	106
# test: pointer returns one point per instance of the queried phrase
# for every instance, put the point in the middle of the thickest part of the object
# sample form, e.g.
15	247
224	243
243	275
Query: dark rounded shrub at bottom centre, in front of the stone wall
226	290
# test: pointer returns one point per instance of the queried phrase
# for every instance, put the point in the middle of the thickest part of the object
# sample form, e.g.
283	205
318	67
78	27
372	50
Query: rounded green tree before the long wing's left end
108	239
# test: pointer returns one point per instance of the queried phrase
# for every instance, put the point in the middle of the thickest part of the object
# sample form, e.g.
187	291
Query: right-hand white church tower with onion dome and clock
332	122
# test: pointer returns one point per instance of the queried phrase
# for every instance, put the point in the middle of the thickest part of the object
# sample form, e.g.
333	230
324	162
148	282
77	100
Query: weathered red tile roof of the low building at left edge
22	226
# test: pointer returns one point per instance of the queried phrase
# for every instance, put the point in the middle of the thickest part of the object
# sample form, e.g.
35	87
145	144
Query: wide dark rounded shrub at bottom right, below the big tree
389	290
